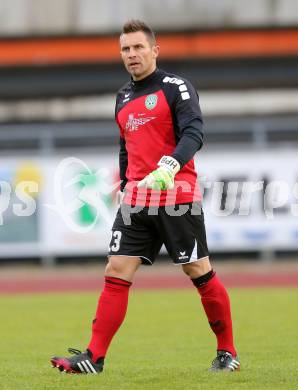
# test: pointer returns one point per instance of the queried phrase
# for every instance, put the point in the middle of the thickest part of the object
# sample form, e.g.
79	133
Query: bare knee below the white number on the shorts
122	267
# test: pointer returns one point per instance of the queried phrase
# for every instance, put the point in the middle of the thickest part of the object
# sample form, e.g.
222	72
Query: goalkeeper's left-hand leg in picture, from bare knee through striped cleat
110	313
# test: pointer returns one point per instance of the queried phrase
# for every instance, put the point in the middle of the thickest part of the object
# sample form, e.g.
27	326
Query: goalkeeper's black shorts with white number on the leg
141	234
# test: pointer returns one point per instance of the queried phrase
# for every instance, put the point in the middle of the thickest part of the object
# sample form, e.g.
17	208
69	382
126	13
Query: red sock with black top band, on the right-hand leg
216	304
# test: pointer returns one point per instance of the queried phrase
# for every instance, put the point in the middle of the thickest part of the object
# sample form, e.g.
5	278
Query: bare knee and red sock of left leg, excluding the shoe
112	303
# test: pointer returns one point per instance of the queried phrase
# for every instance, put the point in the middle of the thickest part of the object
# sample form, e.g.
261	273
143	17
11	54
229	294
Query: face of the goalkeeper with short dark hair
138	54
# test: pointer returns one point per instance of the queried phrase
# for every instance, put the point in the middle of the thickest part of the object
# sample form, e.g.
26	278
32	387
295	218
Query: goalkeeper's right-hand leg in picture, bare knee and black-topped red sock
215	301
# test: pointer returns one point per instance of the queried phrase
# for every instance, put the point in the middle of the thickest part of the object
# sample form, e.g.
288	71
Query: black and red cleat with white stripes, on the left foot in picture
80	363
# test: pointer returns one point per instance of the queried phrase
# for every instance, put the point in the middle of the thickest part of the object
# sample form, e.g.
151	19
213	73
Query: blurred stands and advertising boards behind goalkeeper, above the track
59	71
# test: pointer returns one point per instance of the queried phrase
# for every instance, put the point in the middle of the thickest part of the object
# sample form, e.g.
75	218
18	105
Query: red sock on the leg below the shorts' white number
110	313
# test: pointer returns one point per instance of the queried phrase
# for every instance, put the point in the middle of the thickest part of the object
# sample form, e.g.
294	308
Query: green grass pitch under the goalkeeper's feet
165	342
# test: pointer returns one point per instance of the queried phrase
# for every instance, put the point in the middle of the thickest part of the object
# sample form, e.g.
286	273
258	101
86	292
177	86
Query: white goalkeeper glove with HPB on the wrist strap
163	177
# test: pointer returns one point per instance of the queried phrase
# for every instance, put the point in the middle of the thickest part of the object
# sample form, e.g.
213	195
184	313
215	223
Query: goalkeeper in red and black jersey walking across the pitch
160	124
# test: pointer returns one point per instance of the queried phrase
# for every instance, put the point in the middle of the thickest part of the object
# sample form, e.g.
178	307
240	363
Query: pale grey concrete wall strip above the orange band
44	16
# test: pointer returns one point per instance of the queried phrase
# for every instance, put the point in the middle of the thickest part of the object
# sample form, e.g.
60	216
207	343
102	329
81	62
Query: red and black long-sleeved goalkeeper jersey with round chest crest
158	115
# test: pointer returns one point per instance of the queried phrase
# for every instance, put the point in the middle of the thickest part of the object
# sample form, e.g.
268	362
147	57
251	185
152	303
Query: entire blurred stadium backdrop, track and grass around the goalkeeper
59	72
